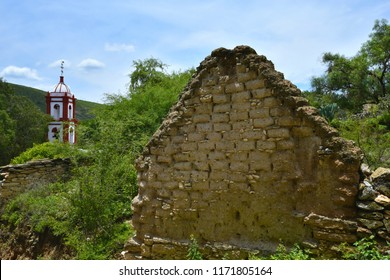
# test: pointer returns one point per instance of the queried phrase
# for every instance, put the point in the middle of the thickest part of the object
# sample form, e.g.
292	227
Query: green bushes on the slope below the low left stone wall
59	208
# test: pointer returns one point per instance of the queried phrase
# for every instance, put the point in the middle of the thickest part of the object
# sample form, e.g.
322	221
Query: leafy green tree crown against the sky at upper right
360	79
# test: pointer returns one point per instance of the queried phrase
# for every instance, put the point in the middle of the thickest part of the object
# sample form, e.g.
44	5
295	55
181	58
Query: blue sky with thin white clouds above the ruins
99	40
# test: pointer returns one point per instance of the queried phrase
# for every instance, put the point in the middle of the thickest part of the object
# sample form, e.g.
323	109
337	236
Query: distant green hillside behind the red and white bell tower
84	109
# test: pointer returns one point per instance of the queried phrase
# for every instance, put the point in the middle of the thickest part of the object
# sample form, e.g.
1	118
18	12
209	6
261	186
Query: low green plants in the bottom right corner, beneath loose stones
363	249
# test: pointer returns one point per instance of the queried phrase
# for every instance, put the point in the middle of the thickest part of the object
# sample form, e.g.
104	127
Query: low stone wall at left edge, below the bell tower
15	179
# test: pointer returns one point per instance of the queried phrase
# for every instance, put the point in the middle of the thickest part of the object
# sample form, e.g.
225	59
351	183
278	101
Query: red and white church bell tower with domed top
61	106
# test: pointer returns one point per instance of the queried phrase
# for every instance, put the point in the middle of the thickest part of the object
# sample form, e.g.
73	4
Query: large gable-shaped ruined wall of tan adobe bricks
242	162
